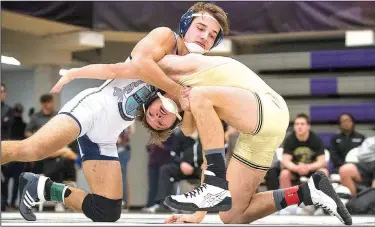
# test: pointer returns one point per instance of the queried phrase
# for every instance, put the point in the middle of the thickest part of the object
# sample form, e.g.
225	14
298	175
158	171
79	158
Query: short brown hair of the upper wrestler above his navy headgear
217	12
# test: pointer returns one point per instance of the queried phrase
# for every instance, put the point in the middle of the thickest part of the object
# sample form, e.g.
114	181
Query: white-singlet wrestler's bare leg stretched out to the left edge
54	135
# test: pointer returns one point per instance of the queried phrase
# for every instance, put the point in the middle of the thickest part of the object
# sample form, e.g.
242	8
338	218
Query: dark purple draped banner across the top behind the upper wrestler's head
244	17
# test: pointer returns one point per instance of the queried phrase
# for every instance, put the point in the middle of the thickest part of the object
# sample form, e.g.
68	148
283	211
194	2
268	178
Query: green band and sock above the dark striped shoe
55	191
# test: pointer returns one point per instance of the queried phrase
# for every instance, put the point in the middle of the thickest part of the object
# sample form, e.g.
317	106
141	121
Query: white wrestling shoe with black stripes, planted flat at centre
212	195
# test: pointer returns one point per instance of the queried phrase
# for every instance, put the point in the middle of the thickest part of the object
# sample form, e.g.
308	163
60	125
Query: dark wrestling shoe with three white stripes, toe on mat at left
31	188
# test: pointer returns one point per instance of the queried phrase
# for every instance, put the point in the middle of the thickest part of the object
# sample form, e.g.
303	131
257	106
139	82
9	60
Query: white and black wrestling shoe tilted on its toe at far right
323	195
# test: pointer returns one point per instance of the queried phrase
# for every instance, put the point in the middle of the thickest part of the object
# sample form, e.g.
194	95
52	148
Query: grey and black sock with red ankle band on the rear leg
291	196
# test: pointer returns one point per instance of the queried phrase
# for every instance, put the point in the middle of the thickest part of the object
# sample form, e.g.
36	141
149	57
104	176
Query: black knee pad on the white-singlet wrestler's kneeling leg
101	209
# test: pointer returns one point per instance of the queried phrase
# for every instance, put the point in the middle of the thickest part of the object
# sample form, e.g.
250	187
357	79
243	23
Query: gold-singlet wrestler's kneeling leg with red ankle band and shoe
248	206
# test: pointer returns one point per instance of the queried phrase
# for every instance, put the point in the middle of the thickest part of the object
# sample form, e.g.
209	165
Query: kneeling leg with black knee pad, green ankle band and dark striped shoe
102	204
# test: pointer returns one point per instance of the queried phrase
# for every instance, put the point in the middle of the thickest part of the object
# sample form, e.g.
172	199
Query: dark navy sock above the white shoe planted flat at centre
216	162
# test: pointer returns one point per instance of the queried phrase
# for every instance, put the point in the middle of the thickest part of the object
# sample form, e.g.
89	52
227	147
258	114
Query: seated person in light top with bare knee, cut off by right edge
362	172
